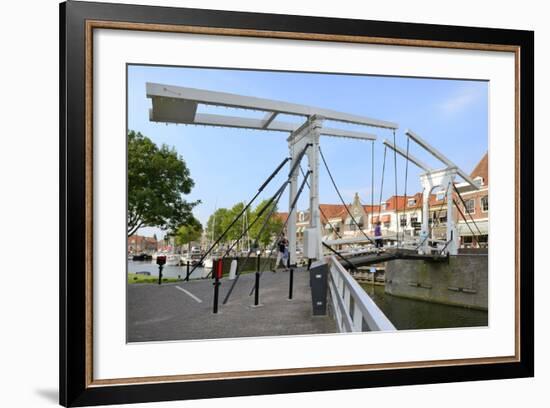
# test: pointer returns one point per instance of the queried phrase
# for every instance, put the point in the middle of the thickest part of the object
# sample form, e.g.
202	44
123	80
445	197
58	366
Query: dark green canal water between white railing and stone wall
416	314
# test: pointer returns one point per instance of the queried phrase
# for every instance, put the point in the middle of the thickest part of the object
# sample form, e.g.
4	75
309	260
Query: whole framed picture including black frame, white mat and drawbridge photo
257	203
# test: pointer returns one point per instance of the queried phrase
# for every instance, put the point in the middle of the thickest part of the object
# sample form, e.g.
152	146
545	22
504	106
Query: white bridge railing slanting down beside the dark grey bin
354	310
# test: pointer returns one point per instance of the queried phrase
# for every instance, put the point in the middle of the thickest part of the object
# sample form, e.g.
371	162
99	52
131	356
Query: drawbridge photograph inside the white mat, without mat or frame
287	203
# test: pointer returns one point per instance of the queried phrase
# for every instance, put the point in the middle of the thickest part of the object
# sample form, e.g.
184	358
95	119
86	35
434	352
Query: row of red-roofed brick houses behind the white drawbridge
403	214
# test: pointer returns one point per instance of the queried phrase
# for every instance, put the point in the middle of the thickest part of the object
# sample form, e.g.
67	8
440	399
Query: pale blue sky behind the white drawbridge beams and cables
228	165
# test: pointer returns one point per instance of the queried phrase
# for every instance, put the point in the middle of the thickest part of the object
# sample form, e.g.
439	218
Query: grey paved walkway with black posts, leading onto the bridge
183	311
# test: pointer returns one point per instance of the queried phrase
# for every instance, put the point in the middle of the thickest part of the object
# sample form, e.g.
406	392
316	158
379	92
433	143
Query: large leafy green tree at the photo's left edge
157	180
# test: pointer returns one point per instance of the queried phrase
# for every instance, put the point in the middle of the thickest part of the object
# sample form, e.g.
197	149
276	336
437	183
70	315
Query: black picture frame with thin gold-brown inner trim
78	20
